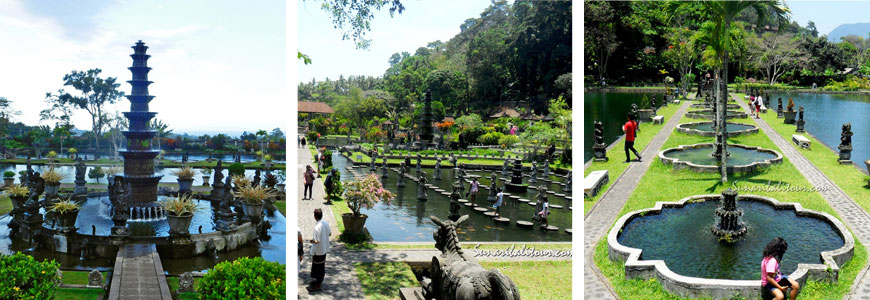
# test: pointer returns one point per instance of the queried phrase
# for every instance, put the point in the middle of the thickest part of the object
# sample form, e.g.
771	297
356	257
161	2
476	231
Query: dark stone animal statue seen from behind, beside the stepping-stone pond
456	275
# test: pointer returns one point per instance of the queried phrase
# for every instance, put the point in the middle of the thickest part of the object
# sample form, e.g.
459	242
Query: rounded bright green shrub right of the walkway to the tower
244	278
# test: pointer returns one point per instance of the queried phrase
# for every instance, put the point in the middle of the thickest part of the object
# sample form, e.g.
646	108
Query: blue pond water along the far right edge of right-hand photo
825	115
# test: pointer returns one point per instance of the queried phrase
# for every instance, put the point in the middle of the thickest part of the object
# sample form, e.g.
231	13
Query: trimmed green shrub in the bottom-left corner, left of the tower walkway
27	278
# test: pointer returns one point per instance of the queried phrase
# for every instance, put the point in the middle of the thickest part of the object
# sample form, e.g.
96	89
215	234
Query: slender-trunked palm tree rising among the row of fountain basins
722	13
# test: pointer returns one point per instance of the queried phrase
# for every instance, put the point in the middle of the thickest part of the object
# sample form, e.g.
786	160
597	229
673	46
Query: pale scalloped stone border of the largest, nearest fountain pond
696	287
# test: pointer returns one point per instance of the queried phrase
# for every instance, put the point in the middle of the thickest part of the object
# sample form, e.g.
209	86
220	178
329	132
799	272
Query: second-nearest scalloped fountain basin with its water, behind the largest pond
699	158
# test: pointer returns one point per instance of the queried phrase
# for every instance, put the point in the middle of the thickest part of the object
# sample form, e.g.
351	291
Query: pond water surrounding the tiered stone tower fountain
94	212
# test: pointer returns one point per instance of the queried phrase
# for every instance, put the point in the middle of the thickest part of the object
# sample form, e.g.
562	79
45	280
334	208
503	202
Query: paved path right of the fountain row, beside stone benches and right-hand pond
850	212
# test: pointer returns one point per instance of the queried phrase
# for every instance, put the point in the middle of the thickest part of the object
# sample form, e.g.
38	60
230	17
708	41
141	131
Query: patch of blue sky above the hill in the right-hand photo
829	14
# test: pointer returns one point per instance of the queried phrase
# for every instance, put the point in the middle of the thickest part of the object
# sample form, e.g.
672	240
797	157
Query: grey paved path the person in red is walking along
604	212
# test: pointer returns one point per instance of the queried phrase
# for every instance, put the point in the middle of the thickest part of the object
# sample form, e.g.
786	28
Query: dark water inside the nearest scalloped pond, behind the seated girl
682	237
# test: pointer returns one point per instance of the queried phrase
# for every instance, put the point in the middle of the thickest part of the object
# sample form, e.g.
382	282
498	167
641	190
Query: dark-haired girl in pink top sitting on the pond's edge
772	279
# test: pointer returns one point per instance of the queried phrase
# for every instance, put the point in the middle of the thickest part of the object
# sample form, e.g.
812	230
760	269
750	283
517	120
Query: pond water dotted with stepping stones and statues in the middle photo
407	220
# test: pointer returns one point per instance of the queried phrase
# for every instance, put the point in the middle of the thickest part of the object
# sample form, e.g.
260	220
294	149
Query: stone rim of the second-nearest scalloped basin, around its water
679	164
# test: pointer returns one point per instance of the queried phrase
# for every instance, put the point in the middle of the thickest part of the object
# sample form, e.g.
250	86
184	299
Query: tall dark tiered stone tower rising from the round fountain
139	157
